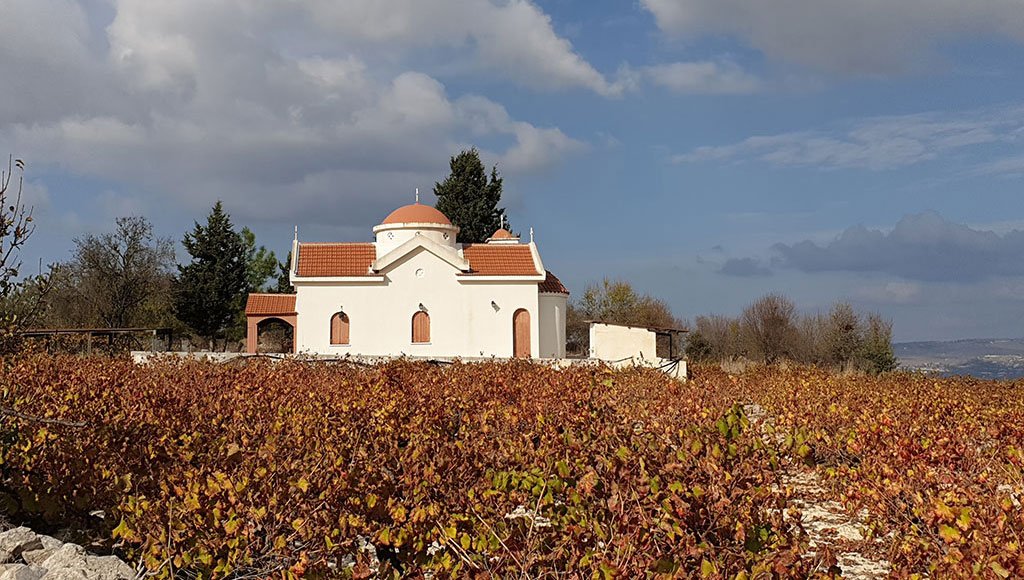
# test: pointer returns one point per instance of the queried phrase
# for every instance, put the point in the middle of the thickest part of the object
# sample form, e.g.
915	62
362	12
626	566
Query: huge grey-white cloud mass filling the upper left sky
257	105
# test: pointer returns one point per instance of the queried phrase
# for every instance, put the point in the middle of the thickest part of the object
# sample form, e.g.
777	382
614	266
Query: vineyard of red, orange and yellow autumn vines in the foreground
407	469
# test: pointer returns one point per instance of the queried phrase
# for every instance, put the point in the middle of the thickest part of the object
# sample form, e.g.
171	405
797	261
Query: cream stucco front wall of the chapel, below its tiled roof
463	322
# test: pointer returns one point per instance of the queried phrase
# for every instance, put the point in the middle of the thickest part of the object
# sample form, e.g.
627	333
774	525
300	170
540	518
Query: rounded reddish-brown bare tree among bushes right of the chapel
770	326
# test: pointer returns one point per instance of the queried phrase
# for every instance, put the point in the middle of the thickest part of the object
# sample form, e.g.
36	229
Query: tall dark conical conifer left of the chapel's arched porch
210	291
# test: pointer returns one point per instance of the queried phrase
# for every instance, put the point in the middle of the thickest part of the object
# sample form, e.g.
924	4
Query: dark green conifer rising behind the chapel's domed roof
470	199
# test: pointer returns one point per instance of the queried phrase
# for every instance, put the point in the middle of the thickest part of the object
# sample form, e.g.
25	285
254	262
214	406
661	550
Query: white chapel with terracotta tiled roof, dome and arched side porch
417	292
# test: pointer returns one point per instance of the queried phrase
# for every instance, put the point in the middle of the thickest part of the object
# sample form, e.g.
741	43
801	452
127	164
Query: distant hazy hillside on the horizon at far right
983	358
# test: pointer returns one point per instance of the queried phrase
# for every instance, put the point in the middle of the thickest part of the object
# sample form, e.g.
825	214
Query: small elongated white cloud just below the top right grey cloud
704	78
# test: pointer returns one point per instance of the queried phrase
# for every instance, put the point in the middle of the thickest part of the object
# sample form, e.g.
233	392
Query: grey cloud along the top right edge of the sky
874	37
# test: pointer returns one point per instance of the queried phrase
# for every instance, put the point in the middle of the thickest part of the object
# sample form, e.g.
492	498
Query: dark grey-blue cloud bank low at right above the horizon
921	247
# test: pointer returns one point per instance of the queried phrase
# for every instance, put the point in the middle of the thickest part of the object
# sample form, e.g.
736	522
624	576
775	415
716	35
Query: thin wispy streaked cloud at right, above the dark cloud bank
876	144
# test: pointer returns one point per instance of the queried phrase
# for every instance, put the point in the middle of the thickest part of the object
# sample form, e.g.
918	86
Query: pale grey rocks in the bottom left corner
28	556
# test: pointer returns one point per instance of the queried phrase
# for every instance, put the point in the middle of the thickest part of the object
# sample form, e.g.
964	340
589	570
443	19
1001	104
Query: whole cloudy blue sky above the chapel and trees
708	151
